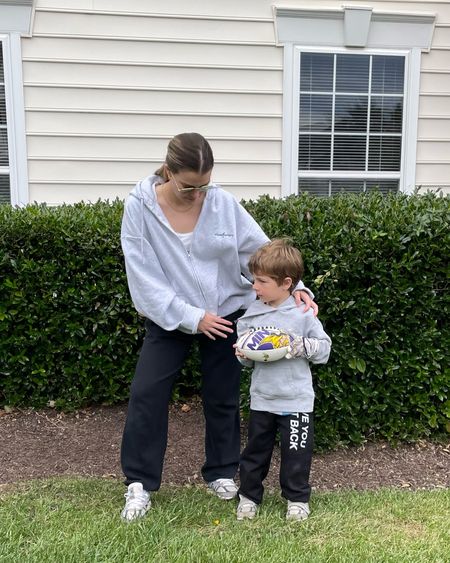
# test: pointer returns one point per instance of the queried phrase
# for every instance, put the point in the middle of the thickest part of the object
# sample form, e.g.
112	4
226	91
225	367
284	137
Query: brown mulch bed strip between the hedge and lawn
37	444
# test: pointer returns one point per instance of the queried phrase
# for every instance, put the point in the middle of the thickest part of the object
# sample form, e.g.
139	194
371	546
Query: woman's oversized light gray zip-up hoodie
174	287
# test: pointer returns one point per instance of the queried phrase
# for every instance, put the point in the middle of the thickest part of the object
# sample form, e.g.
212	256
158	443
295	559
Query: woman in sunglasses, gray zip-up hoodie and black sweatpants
186	243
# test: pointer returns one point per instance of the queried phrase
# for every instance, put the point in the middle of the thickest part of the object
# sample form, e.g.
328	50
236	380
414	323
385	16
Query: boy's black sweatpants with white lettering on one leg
297	437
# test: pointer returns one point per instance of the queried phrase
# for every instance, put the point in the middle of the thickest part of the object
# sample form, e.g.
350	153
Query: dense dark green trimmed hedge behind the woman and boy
377	265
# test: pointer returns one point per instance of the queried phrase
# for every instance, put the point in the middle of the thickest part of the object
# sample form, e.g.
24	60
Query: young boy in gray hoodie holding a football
281	392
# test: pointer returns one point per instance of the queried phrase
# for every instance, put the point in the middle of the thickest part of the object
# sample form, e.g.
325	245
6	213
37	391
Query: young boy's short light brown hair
278	259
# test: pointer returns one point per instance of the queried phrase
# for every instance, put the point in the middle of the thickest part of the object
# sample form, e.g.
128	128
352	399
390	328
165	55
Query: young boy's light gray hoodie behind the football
284	385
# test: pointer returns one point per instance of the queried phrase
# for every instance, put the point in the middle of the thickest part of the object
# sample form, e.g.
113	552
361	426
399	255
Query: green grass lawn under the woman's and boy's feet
77	520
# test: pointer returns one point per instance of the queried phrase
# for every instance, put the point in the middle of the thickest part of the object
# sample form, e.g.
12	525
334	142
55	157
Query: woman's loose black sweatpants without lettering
161	358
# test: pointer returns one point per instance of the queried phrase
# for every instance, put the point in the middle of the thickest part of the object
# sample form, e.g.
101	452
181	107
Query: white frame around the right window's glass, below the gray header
291	121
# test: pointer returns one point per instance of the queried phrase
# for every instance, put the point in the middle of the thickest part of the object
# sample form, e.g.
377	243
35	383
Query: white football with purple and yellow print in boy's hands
264	344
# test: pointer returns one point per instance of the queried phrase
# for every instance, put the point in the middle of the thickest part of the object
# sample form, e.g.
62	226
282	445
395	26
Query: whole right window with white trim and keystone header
350	97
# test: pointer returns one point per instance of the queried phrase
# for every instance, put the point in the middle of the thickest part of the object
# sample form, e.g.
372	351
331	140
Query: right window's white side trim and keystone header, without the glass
353	29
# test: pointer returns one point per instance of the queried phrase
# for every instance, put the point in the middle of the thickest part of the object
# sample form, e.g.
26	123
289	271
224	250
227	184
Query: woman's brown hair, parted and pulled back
188	151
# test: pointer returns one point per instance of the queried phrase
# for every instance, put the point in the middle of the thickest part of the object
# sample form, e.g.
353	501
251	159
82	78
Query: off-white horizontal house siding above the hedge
107	87
